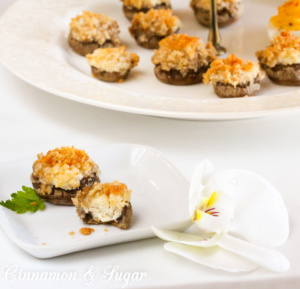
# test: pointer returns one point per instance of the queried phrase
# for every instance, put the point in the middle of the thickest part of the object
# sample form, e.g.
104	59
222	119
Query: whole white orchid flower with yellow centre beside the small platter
232	202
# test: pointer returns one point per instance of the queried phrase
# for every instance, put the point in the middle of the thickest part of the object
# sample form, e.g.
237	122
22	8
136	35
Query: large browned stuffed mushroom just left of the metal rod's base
182	59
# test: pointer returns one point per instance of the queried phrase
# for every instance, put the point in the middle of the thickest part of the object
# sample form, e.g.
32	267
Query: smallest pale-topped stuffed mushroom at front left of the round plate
112	64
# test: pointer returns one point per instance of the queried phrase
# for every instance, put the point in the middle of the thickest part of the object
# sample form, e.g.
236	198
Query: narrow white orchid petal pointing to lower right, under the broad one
265	257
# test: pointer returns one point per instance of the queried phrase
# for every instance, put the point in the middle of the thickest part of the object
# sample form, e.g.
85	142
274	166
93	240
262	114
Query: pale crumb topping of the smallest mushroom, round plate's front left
115	59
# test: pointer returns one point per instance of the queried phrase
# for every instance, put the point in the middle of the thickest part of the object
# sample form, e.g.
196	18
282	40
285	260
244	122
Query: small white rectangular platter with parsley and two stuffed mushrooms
159	198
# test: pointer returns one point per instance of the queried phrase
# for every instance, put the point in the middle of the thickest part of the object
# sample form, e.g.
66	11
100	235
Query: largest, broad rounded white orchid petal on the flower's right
260	214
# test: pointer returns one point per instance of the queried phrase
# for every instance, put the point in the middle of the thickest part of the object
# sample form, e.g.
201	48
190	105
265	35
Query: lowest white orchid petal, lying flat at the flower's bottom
214	257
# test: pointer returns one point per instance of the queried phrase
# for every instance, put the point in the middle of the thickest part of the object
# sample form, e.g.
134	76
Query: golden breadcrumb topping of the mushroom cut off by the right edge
284	49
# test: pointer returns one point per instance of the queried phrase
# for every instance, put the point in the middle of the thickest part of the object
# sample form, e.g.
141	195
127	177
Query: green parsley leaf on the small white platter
24	201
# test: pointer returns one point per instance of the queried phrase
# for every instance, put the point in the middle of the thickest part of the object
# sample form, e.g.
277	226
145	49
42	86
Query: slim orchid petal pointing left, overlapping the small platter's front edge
201	240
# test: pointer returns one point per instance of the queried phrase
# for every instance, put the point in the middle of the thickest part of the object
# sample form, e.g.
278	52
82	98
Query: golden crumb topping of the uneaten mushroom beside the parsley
63	168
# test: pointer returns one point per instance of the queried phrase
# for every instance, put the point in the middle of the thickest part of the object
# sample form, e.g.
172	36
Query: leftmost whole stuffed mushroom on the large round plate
90	31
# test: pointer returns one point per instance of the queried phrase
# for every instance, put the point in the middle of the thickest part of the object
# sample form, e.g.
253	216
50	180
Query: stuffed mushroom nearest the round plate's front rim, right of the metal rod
233	77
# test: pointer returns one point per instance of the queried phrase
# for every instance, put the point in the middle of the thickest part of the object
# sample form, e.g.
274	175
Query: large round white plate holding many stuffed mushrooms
33	45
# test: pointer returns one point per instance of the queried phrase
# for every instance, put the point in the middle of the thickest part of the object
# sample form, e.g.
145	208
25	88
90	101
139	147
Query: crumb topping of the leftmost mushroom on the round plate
91	27
